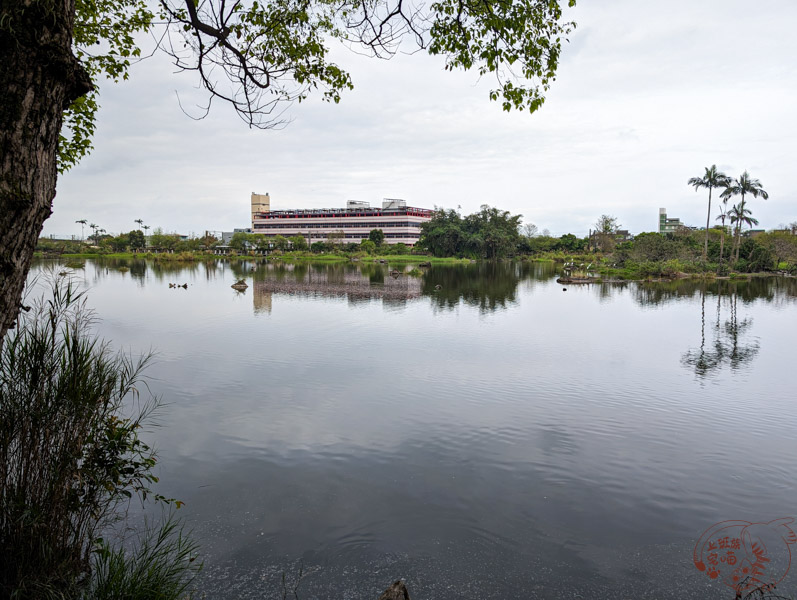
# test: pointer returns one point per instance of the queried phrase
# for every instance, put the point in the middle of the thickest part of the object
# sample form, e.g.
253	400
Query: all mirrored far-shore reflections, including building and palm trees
725	335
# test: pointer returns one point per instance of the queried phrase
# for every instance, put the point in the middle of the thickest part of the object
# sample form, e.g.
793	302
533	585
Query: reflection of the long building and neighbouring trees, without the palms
488	286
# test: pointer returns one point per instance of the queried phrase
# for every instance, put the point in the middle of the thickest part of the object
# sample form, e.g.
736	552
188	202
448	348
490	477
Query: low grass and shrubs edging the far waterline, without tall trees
595	259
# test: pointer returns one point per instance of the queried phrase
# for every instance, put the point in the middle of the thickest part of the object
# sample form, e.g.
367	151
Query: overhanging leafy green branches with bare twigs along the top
259	55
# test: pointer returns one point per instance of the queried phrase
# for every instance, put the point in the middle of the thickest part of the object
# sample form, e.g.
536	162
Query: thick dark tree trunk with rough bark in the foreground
39	79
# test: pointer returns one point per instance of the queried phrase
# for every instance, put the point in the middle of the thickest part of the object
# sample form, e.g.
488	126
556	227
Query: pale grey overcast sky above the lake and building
648	94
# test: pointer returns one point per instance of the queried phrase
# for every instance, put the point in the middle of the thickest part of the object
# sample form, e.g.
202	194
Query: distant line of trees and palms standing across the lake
492	233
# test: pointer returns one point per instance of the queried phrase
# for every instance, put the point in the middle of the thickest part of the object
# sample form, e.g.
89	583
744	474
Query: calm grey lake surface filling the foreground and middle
493	437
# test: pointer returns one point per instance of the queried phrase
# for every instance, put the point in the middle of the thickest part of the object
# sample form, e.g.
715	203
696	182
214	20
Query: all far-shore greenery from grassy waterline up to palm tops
608	253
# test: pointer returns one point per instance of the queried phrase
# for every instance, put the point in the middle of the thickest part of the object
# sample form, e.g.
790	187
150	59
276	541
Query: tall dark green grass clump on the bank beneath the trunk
70	454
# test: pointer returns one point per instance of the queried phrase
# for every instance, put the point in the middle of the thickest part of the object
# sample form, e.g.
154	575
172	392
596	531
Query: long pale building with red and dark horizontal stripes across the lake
400	223
